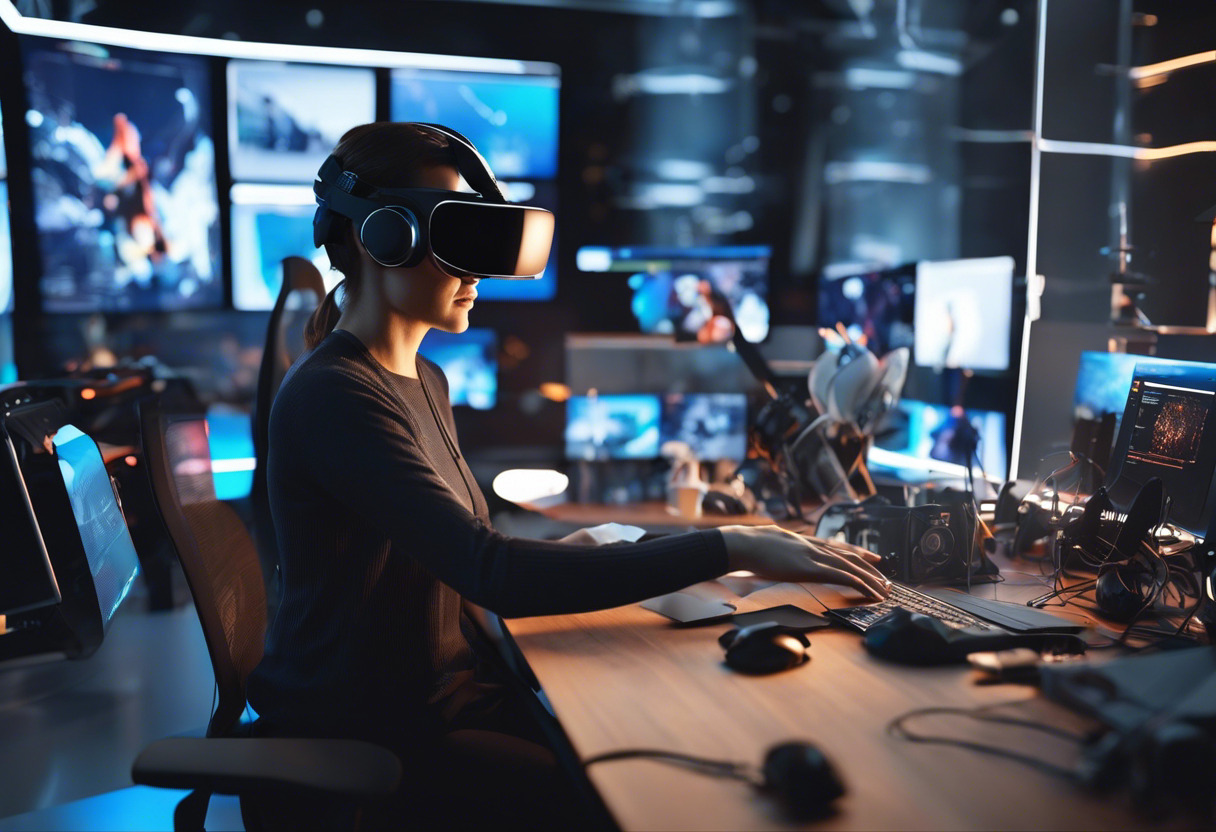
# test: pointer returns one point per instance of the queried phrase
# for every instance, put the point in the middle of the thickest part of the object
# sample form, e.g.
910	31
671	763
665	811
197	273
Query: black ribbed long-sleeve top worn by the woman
382	533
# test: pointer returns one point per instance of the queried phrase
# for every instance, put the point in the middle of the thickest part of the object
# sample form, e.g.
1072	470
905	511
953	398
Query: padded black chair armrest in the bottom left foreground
228	766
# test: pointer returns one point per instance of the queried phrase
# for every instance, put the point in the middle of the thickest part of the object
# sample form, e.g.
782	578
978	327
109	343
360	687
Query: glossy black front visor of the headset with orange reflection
492	240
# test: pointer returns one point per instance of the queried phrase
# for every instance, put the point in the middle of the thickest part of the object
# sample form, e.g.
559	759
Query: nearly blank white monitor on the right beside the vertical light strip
964	313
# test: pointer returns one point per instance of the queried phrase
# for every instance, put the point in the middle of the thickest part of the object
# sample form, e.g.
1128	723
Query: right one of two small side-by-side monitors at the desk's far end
713	425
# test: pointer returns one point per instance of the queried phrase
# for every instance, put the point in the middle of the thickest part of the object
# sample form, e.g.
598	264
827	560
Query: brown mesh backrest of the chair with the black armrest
216	550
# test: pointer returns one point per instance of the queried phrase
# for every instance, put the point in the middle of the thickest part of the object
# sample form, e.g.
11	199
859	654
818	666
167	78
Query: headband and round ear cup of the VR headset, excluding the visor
389	220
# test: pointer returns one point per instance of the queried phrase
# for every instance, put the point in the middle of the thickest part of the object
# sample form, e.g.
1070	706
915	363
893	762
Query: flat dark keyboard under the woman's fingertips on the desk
961	611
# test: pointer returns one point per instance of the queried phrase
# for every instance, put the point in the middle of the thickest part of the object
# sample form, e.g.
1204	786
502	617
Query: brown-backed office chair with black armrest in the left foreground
222	569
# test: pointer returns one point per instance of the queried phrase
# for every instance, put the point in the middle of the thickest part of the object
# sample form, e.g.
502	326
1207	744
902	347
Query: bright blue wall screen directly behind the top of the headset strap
511	120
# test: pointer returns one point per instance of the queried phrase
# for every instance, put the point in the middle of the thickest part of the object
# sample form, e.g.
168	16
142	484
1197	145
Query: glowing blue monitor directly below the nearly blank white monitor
917	437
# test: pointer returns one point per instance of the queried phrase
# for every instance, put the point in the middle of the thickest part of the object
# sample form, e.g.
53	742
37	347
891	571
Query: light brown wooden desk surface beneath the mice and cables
626	678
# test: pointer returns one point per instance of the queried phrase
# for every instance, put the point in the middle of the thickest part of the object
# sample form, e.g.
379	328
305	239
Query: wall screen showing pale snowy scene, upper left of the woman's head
285	119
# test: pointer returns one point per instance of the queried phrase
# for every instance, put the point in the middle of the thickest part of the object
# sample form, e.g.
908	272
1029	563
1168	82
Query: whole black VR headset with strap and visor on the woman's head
469	234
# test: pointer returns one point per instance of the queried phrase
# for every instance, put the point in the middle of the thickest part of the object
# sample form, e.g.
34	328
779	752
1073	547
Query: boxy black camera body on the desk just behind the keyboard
919	544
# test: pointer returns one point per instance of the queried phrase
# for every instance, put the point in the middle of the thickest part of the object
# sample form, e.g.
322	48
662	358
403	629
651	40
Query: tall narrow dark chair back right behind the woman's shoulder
301	294
